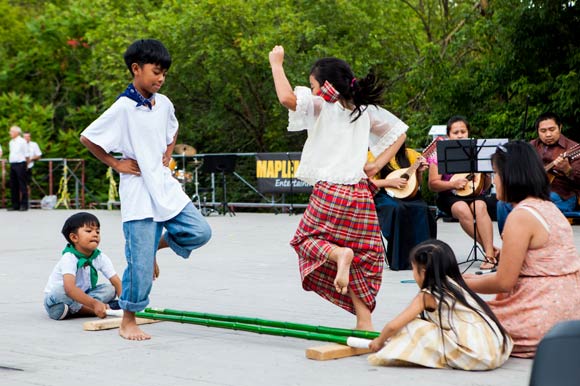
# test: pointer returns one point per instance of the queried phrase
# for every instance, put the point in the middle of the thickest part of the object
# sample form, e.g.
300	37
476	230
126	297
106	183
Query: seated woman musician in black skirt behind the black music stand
462	207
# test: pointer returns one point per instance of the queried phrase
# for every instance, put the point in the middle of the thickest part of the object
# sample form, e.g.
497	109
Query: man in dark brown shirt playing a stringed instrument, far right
561	158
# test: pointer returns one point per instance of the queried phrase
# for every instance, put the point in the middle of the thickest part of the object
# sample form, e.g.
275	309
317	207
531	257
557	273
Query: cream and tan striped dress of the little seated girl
470	345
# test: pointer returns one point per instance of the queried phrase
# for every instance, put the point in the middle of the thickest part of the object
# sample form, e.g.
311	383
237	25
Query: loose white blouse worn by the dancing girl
336	148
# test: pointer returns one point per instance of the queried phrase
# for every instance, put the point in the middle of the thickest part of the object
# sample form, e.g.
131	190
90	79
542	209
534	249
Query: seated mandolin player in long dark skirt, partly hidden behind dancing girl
404	216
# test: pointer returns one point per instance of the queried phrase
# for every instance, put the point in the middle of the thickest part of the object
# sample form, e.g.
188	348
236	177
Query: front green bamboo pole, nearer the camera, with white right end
246	327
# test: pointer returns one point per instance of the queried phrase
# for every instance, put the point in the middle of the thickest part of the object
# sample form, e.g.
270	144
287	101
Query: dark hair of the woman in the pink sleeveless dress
521	172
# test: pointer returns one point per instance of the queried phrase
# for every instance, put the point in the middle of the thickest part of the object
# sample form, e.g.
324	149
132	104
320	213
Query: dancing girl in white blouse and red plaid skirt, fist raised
338	241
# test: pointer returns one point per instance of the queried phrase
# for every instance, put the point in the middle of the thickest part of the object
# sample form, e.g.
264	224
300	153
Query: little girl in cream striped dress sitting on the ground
446	325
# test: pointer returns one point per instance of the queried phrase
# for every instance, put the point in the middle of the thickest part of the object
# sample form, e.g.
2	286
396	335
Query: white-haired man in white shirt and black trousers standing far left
18	159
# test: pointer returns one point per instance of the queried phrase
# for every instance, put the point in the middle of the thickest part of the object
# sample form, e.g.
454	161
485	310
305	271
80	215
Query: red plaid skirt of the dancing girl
343	216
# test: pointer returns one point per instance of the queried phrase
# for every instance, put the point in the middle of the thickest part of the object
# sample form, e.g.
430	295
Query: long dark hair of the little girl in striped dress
438	260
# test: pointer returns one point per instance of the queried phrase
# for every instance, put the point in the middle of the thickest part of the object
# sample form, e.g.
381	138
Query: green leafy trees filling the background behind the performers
486	60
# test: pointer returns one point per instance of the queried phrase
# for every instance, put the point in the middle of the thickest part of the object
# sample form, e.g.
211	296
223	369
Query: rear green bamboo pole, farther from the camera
268	323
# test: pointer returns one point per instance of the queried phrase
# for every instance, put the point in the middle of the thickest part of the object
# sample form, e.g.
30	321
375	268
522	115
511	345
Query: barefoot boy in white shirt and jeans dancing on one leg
142	126
